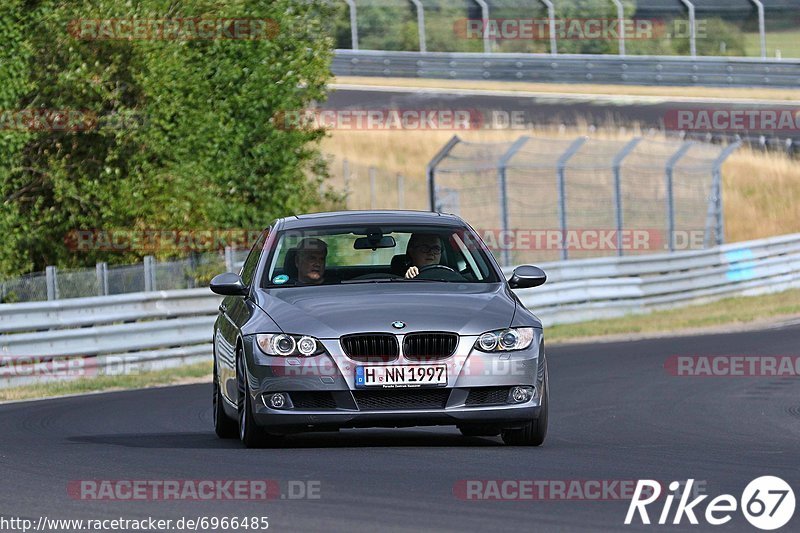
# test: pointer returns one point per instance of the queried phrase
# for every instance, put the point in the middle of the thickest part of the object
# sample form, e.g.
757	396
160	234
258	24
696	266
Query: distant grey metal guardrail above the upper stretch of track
572	68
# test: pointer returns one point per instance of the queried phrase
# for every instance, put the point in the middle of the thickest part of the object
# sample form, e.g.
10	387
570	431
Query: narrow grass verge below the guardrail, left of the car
172	376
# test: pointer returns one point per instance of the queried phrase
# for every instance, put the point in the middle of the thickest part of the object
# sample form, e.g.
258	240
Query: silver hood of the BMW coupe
331	311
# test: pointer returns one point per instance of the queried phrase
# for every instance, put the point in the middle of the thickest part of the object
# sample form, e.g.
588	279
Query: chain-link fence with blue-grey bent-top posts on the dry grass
541	199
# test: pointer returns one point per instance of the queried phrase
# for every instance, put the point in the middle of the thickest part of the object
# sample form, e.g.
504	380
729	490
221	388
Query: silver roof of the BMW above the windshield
338	218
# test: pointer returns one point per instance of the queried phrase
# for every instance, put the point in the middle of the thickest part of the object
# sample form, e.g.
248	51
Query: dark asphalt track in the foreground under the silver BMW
616	414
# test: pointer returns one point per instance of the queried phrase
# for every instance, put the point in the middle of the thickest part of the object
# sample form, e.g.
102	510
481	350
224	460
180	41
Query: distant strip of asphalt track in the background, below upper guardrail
567	109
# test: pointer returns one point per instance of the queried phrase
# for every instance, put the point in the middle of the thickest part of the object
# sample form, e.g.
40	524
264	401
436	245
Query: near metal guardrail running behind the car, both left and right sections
171	328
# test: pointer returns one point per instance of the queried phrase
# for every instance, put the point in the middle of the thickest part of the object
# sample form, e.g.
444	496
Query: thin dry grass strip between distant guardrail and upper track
578	88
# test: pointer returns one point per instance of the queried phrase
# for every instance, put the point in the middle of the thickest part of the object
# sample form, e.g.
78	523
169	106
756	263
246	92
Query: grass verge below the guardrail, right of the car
750	310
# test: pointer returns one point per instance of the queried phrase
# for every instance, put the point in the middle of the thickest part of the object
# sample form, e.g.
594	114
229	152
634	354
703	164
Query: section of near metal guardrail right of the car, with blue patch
610	287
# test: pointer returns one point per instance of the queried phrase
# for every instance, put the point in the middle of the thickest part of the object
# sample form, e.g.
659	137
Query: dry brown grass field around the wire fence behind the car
761	190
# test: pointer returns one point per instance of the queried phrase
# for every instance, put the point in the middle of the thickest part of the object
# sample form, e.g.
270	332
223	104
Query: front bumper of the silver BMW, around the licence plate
320	391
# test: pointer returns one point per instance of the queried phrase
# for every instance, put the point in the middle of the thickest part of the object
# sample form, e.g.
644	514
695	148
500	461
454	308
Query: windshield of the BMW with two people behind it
358	254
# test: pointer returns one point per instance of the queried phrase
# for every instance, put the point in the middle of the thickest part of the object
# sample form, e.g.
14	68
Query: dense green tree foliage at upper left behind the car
194	142
